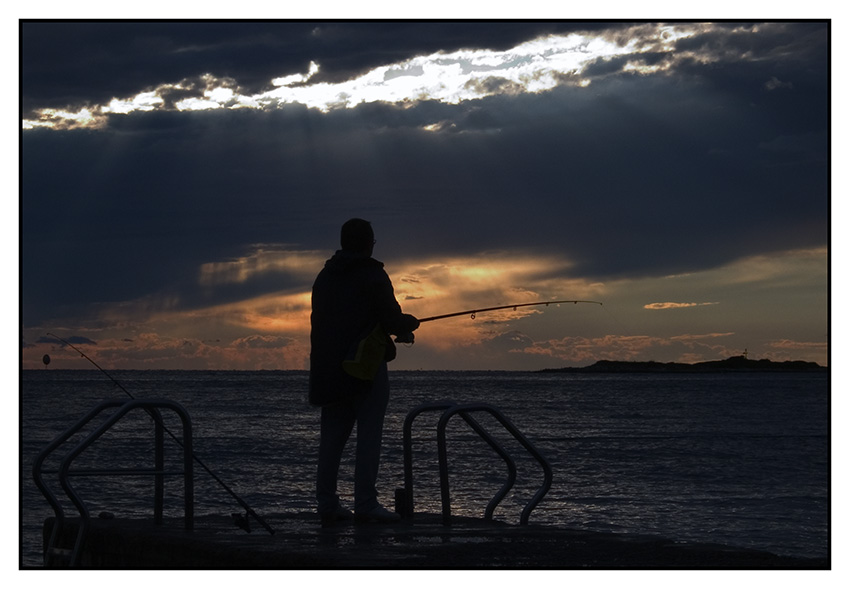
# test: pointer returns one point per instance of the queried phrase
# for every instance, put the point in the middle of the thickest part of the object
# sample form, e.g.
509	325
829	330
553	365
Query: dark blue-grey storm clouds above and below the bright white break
632	176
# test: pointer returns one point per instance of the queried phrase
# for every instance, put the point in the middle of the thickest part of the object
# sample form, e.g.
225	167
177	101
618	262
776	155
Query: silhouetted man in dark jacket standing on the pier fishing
354	313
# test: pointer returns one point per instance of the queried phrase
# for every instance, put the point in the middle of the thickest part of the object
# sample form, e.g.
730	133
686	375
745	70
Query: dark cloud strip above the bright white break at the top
71	64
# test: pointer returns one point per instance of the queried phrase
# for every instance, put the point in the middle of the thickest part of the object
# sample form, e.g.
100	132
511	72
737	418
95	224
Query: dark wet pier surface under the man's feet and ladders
300	543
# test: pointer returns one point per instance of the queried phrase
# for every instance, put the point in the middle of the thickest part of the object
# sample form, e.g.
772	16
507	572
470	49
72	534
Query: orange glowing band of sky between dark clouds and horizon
700	316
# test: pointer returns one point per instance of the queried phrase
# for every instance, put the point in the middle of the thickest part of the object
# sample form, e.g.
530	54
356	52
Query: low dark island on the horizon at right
733	364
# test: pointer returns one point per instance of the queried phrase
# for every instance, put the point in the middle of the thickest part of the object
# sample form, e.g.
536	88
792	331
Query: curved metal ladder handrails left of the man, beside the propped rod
54	555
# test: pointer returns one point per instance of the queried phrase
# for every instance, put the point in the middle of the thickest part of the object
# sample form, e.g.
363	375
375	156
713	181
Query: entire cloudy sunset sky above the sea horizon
182	183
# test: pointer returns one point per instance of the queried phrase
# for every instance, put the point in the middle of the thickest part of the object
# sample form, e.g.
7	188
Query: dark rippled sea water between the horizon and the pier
736	459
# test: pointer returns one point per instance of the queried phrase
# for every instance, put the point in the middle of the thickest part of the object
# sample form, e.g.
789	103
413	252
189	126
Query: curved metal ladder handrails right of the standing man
404	497
